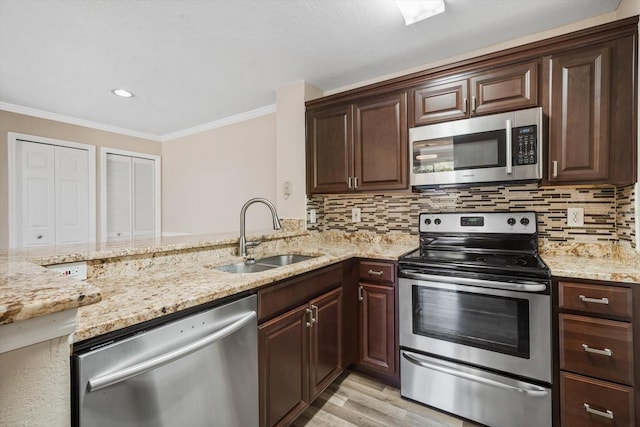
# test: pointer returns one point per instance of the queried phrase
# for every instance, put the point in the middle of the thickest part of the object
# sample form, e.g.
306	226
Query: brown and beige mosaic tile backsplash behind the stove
608	210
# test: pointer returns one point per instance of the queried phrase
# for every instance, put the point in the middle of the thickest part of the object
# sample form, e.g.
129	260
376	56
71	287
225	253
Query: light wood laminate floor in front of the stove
357	400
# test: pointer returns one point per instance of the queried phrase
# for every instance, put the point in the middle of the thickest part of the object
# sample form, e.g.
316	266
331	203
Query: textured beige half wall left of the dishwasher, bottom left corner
35	385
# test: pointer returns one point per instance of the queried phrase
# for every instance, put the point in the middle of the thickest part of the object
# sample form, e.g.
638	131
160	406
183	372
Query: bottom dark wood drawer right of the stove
589	402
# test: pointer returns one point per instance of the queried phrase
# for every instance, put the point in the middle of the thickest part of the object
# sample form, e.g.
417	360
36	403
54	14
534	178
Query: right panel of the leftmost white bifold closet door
71	195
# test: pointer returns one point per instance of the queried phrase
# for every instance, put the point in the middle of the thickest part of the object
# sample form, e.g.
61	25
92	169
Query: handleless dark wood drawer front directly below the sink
299	290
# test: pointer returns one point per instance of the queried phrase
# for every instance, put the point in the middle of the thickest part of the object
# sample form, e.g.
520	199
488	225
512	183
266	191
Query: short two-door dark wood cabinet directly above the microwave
500	89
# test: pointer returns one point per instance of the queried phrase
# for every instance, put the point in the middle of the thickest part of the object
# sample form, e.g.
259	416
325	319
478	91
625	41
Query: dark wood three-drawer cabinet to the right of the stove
597	341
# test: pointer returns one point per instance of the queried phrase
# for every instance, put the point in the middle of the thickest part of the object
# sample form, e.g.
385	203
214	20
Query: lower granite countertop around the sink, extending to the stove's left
136	296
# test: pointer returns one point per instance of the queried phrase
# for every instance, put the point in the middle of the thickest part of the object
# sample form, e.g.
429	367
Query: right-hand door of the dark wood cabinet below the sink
326	341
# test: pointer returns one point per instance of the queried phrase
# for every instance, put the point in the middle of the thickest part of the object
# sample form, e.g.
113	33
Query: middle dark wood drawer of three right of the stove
597	347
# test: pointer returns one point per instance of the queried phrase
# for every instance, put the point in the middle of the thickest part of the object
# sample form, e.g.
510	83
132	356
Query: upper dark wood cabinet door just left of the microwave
381	143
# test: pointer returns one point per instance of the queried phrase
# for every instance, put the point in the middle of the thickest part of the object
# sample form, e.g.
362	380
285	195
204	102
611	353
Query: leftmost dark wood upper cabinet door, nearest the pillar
329	149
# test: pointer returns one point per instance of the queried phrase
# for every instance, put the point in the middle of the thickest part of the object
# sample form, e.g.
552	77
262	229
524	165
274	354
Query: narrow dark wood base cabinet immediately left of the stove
377	325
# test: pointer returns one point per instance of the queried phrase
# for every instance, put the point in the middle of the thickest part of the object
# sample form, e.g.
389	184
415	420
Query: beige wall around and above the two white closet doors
20	123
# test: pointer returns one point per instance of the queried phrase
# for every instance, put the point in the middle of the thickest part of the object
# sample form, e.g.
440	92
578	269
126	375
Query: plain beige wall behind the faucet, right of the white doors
207	177
